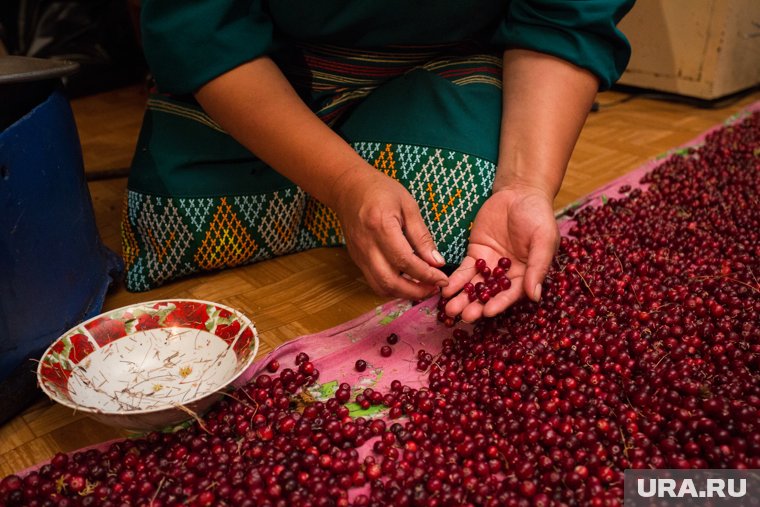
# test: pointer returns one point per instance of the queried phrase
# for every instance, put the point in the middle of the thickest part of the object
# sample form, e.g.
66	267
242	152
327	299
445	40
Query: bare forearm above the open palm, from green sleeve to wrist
546	101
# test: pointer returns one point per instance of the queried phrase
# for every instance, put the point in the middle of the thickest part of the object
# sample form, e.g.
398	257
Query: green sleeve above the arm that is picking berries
189	43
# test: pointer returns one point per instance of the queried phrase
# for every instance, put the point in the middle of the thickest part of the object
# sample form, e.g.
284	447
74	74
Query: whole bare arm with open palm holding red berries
546	101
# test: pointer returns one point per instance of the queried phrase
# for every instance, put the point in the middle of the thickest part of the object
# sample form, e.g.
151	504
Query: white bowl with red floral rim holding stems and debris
149	366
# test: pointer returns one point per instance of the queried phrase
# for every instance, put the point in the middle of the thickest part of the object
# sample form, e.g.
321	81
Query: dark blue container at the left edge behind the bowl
54	269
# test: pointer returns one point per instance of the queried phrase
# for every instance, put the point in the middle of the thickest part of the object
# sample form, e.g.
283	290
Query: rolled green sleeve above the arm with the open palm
583	32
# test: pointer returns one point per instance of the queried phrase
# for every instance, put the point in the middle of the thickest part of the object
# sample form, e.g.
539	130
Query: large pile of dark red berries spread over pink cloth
643	352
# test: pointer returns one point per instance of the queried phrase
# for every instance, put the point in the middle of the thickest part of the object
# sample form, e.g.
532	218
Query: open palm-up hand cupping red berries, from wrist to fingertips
515	222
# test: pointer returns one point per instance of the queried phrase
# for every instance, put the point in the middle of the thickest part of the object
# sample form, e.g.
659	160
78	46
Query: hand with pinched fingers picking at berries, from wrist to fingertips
386	236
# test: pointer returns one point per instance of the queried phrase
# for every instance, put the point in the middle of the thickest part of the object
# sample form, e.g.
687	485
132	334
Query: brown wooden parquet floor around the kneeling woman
310	291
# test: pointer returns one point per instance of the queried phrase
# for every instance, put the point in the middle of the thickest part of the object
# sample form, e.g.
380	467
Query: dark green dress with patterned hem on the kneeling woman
413	86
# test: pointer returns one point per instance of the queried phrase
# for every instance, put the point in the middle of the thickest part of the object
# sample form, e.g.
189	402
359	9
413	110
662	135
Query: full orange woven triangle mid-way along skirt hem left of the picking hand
227	242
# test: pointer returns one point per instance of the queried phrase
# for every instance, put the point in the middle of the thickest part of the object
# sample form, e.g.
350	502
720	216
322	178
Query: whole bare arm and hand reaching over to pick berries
381	221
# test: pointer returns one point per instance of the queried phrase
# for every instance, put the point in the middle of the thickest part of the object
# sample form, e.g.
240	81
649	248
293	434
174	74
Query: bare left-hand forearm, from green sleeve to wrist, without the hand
257	106
